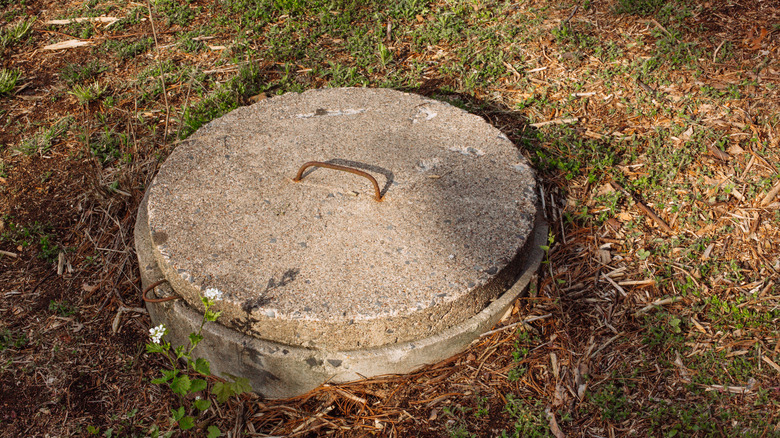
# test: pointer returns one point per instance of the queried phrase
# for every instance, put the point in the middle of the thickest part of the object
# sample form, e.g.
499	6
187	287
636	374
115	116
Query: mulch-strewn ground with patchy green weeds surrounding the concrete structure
653	125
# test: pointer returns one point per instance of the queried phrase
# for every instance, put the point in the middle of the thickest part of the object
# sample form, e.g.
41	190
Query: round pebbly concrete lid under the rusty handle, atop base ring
320	263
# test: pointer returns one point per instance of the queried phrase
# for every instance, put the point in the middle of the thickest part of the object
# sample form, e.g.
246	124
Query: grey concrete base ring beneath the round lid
281	371
